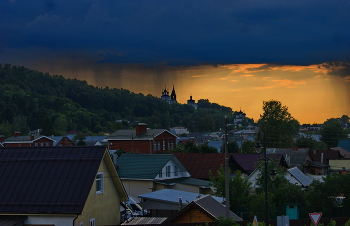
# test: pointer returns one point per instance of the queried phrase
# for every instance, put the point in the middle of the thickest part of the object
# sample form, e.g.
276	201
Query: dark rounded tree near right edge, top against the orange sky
331	132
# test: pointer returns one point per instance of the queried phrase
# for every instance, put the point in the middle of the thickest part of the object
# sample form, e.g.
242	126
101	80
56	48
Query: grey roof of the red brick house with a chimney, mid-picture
131	134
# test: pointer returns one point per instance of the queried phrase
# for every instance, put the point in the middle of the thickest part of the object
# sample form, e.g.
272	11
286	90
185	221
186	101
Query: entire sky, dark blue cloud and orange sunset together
235	53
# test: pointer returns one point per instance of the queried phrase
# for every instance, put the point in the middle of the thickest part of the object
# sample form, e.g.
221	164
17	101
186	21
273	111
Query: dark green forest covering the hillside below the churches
29	98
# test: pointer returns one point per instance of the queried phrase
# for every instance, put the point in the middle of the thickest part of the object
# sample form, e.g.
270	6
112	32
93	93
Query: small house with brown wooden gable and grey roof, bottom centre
202	210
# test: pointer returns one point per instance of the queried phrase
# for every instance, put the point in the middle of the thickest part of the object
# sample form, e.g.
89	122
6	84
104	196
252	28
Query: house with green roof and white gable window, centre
140	173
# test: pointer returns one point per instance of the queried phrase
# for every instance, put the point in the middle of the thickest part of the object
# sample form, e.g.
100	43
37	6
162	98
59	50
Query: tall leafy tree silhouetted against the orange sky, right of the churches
277	124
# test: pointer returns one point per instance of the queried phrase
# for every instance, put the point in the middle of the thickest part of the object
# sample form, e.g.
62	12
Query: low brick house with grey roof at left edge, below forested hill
17	140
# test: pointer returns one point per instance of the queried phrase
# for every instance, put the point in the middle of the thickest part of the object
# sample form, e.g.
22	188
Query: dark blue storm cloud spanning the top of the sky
180	32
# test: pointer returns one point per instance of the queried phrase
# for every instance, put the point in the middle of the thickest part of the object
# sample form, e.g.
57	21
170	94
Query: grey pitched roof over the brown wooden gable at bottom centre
209	206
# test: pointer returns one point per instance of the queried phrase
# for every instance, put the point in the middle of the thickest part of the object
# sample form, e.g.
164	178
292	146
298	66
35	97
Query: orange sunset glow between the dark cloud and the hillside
312	93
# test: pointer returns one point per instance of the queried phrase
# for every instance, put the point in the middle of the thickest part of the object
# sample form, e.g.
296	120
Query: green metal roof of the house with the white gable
142	166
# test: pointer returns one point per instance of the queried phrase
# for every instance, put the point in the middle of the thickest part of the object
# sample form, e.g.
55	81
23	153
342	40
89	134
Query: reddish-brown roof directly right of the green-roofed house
198	164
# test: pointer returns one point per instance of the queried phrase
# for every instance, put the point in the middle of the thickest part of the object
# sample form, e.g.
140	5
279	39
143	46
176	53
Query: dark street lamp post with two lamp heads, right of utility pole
273	175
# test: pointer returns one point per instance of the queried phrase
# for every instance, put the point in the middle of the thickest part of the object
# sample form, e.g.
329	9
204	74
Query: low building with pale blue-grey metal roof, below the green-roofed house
167	202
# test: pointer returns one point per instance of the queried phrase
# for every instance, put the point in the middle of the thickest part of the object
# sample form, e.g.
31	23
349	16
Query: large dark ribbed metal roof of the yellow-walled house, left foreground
47	179
